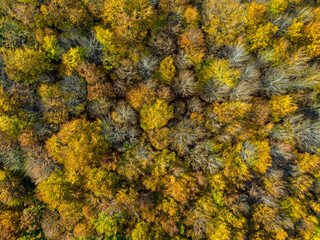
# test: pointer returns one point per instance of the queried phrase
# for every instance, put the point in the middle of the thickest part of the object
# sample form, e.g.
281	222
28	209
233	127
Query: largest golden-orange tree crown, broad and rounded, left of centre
78	145
